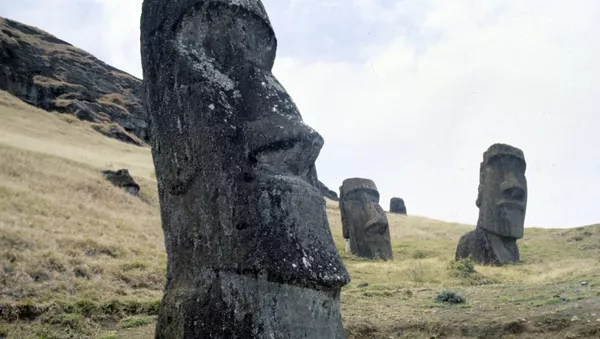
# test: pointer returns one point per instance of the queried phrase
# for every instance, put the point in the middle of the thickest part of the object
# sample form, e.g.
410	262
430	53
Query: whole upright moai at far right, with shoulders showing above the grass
502	201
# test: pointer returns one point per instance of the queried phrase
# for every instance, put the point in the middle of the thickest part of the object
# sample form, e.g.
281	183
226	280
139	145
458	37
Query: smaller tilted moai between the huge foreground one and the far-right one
364	223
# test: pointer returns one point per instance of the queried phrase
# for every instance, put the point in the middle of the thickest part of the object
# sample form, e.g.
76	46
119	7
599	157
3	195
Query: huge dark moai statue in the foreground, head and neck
250	252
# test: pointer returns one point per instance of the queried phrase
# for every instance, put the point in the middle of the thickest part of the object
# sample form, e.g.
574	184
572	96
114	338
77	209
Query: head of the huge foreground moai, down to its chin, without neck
234	160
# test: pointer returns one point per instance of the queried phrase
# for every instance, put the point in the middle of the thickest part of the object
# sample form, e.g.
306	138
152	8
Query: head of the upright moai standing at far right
502	197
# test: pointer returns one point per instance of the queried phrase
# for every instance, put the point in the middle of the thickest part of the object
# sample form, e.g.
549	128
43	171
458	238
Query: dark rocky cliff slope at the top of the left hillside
52	74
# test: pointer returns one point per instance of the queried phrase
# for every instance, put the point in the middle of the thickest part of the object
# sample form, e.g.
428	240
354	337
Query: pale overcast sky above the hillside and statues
411	93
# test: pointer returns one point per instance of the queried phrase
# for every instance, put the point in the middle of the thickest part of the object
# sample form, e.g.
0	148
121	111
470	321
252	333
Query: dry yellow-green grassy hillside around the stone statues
82	259
